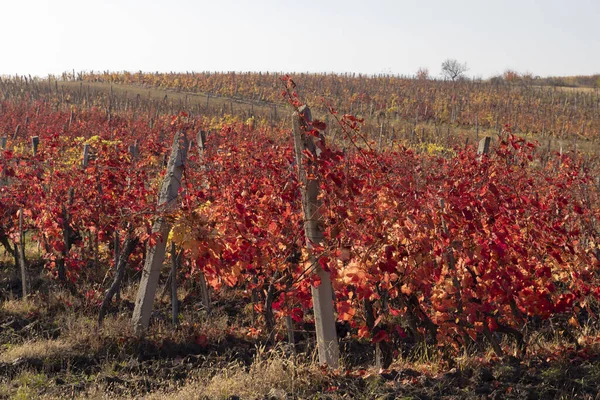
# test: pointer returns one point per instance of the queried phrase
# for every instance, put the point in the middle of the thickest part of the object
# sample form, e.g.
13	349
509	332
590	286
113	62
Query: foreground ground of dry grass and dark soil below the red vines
51	347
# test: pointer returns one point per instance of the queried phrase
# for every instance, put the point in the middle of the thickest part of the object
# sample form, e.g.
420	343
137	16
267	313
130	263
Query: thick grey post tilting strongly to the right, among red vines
155	255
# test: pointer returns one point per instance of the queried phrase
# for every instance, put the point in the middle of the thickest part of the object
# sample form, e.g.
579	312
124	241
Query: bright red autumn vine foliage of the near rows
447	251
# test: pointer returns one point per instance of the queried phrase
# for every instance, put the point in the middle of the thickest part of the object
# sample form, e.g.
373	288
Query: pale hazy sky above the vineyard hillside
542	37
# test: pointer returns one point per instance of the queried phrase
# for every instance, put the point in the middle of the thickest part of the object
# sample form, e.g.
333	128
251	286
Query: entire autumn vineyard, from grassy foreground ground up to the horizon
332	235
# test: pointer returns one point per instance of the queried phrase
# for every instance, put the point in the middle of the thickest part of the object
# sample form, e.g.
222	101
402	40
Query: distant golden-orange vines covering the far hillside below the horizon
544	111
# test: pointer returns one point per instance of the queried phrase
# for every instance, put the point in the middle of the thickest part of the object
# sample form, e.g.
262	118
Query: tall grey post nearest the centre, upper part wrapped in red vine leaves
322	295
